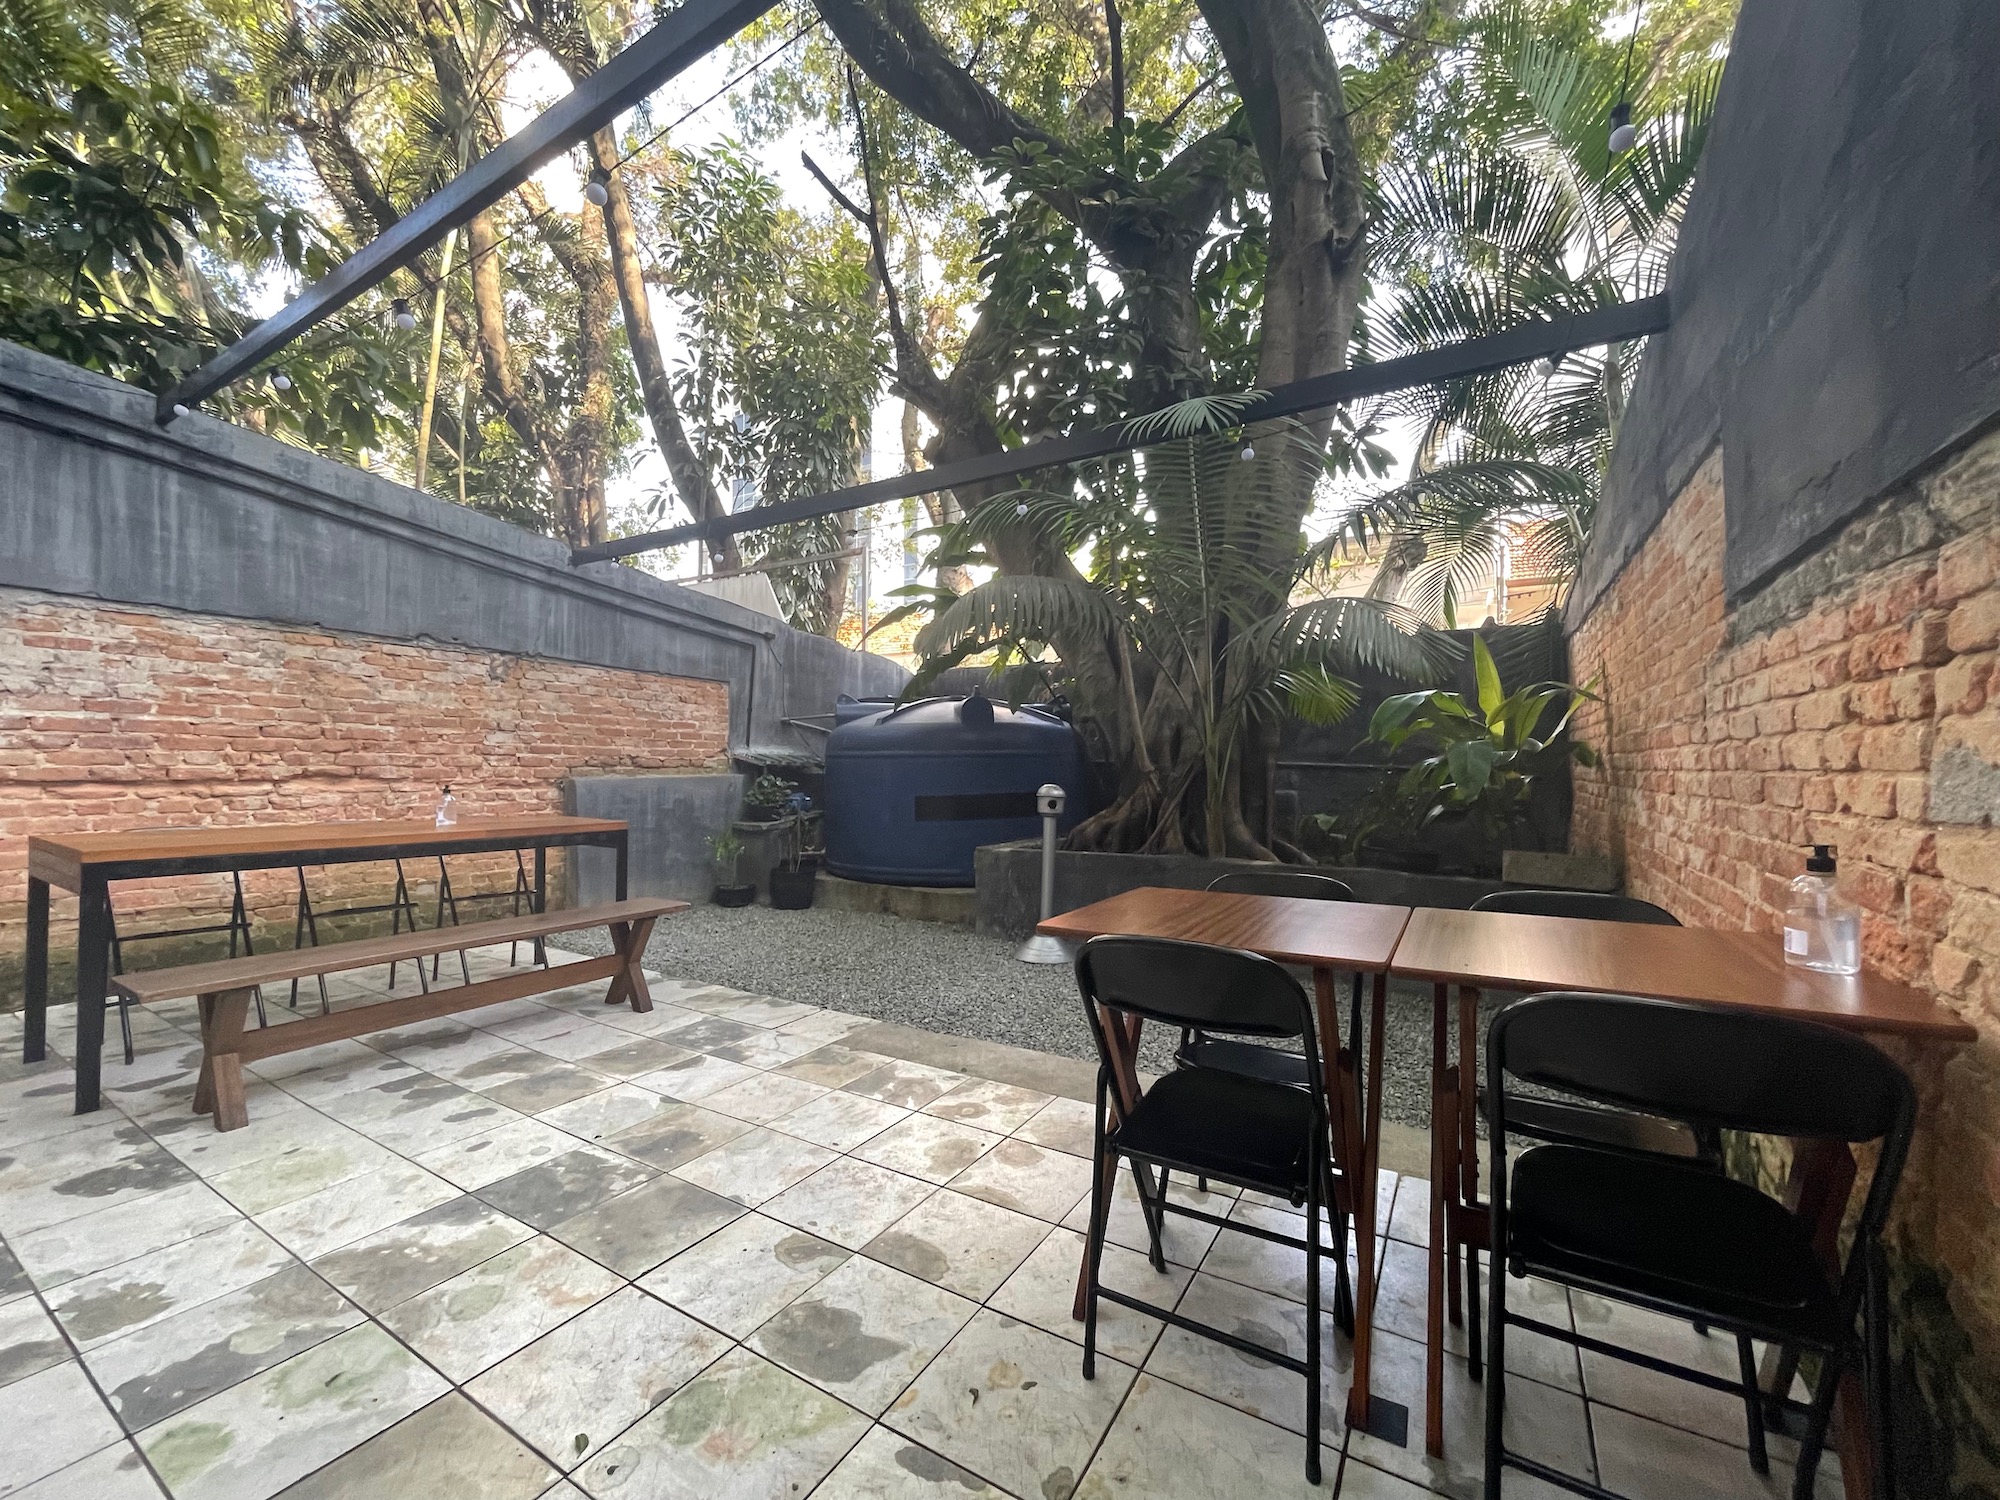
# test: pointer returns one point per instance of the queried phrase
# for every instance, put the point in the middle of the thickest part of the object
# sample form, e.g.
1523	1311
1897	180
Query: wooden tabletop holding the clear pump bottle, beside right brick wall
1735	969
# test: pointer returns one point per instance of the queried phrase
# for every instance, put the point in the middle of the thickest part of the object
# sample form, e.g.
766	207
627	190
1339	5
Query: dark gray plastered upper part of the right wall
1837	285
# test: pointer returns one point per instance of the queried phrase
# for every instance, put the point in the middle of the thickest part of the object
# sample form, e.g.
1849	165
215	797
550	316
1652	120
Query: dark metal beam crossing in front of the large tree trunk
1529	341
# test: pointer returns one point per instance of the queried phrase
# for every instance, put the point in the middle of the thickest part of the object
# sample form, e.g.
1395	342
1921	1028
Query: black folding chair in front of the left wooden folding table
1249	1133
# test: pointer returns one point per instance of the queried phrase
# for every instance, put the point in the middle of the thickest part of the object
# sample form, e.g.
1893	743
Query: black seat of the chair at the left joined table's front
1227	1127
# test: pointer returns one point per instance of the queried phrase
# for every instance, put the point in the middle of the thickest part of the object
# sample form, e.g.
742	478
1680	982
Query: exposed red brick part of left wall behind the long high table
119	715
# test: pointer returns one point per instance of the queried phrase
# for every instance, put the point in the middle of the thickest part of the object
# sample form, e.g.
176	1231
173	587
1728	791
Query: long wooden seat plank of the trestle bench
365	953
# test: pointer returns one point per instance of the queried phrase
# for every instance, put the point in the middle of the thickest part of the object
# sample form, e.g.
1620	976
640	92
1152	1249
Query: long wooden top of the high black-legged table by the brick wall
129	847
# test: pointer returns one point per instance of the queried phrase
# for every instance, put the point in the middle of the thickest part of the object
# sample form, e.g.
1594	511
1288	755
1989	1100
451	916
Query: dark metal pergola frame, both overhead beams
671	47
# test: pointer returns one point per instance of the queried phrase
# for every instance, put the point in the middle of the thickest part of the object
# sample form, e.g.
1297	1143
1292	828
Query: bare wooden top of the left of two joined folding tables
1333	935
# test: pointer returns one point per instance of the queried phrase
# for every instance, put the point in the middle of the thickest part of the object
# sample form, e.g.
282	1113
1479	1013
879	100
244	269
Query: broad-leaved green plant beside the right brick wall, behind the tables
1483	757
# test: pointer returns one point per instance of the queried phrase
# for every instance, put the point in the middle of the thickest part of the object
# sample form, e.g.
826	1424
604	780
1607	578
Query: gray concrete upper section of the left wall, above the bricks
213	519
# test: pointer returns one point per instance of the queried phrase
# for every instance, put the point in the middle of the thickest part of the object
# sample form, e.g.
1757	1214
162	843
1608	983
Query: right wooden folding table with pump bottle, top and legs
1553	953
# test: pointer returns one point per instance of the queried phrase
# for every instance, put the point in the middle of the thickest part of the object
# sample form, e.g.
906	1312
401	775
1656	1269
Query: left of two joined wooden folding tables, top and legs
1323	937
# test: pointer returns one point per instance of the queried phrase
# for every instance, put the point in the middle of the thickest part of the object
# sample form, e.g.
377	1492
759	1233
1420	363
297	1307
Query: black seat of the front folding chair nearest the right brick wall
1669	1233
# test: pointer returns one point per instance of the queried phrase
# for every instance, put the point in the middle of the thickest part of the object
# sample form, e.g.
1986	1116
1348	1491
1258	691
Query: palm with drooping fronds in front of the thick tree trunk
1199	639
